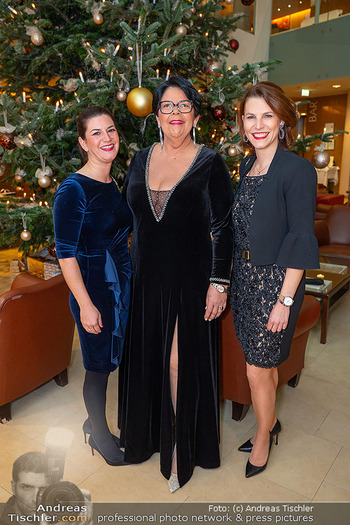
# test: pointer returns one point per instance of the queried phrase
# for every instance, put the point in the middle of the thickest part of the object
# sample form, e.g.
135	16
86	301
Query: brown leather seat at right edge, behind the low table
333	233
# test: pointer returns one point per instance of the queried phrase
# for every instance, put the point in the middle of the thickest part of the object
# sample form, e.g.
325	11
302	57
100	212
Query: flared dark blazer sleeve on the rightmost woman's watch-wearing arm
299	248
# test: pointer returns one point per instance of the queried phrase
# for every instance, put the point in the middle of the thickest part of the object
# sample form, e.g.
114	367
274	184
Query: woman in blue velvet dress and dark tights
92	222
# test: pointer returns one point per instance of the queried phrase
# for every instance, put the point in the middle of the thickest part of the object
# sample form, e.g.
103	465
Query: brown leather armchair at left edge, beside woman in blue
36	337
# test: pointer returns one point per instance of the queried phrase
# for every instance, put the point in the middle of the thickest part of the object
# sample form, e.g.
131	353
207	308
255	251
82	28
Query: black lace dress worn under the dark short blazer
254	288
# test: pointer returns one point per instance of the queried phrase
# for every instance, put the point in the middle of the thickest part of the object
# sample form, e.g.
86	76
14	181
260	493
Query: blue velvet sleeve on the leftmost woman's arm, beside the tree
68	215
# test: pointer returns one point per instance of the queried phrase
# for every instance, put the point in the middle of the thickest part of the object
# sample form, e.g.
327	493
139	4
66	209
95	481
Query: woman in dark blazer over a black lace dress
273	217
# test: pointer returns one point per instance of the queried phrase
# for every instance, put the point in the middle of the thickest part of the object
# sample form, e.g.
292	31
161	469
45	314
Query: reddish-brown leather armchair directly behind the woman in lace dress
234	382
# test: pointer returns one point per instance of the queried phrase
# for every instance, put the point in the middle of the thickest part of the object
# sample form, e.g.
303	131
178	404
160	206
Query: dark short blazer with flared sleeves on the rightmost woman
282	223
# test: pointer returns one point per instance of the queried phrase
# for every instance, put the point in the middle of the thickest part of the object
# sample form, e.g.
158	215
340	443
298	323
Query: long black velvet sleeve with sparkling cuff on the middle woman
221	199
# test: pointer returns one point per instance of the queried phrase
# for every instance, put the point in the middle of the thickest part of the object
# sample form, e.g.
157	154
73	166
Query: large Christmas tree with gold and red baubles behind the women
59	57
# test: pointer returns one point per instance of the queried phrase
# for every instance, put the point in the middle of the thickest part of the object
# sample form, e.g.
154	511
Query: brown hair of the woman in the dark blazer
279	102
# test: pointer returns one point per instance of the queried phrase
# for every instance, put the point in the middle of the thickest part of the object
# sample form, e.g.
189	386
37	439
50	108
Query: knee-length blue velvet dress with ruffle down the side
92	222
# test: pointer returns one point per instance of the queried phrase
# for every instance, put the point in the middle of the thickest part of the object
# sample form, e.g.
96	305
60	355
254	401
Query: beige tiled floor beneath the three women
311	462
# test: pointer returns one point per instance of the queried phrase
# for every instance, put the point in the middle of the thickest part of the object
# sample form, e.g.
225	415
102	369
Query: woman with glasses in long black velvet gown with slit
180	194
